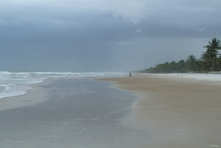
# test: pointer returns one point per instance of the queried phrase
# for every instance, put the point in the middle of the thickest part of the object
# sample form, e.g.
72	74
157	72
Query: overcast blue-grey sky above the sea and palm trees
103	35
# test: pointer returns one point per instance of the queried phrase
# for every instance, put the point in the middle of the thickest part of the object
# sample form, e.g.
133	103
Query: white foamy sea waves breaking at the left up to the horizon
18	83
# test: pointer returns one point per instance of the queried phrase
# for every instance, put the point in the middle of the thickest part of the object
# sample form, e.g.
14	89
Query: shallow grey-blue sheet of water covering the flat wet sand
80	113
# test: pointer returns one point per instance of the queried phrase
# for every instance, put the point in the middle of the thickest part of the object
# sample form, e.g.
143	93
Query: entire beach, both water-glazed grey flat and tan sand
145	110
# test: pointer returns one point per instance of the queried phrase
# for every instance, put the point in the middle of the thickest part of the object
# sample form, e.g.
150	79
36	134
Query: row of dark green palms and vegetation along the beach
209	61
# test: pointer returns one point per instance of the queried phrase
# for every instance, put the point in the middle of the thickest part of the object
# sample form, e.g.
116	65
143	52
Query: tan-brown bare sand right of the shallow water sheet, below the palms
180	112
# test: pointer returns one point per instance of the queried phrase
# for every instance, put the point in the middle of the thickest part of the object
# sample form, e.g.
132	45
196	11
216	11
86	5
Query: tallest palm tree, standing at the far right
212	48
